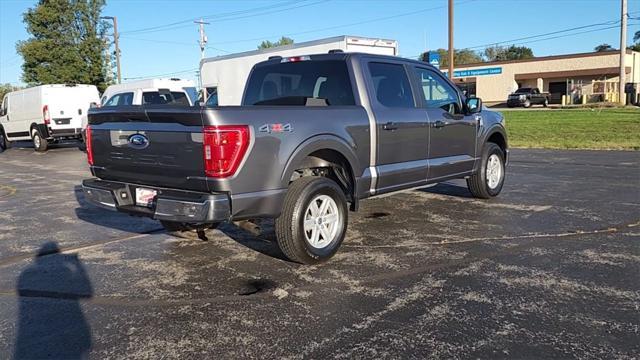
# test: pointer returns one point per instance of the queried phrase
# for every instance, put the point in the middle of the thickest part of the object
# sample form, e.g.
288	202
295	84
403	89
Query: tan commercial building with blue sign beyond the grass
579	78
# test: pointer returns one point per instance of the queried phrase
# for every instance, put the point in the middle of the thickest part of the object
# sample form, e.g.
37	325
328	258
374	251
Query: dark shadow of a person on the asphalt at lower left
51	323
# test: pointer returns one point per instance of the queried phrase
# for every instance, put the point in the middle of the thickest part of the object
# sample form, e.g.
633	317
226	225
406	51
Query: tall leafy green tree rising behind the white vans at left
66	43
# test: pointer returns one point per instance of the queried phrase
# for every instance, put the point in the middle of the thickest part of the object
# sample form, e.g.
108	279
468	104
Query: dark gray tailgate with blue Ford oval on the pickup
158	147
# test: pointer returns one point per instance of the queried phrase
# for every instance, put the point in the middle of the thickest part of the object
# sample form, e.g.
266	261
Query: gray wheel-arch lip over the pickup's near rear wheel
315	143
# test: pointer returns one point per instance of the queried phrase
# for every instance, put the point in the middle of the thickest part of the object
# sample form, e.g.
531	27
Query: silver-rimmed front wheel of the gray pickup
488	180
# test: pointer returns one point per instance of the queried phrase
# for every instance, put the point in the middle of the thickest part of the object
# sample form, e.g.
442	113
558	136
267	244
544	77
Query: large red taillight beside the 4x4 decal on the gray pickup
224	148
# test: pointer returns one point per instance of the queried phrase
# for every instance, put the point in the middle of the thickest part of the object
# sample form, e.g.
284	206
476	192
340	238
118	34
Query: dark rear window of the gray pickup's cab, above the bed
292	83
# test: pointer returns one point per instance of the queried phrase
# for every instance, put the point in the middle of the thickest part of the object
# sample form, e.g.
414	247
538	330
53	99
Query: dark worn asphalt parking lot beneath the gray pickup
550	269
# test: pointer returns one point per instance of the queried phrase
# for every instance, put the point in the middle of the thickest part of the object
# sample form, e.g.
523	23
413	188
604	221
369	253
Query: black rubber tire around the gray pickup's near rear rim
289	226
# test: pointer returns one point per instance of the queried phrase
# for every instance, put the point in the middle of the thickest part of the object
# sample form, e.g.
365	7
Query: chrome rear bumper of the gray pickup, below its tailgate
169	204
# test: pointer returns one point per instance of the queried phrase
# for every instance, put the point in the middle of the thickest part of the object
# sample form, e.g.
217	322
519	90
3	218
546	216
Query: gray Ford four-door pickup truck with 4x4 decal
315	135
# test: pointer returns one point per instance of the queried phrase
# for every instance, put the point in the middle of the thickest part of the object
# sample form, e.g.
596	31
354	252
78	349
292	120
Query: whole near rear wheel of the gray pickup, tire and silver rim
313	221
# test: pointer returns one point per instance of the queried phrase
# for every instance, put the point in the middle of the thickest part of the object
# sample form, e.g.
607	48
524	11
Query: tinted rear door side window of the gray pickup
391	85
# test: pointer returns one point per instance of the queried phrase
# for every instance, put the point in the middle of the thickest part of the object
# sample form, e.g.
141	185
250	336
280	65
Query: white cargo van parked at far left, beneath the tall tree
45	113
